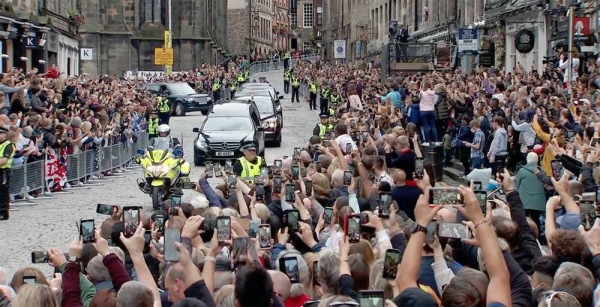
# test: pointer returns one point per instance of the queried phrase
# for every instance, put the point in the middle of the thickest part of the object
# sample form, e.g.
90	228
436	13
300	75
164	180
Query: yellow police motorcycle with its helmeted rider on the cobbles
166	173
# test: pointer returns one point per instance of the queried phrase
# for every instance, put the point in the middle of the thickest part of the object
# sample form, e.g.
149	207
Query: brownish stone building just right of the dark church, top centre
254	16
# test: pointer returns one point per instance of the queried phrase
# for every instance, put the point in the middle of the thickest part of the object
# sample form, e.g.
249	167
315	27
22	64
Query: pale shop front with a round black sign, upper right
526	43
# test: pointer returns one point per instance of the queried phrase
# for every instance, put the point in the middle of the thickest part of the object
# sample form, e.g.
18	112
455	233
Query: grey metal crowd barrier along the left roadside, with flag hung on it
84	167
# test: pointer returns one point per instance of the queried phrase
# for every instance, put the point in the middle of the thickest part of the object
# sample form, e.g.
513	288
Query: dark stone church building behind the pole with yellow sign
123	34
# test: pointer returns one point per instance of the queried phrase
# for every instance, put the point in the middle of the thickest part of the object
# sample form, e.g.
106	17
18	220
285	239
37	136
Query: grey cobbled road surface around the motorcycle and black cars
51	223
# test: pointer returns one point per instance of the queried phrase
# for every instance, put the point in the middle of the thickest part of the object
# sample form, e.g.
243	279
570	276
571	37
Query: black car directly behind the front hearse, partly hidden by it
271	120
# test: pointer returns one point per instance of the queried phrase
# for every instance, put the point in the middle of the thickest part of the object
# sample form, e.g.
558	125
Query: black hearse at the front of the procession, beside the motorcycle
226	128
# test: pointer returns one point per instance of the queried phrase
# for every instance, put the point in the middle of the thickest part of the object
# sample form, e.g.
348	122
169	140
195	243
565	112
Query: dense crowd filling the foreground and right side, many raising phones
526	245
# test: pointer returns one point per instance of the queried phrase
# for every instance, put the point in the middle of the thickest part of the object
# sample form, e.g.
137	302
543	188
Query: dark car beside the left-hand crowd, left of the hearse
182	97
